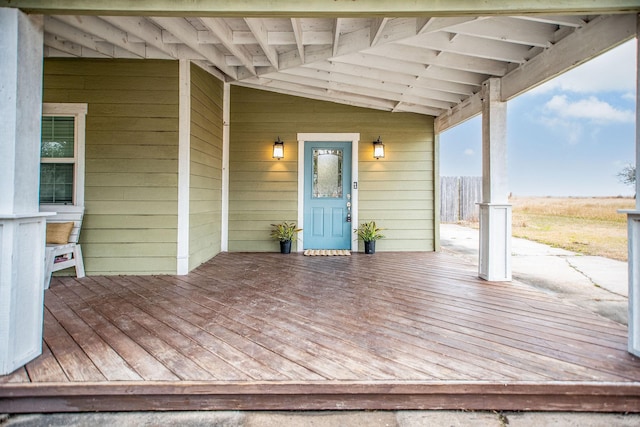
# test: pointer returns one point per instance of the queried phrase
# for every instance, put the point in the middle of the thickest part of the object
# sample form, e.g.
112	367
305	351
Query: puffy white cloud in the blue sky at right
590	108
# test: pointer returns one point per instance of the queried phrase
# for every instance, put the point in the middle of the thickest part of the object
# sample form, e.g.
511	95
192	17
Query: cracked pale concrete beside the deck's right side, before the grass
595	283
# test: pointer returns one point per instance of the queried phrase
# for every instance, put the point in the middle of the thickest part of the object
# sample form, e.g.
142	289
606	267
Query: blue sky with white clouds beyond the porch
567	137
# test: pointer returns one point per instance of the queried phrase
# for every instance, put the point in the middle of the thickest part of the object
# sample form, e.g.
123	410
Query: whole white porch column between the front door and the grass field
495	210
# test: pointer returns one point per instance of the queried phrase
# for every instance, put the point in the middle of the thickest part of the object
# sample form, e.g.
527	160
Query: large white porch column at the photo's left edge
22	227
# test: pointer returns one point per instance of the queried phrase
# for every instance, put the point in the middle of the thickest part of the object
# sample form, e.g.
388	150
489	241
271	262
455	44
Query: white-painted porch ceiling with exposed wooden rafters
428	65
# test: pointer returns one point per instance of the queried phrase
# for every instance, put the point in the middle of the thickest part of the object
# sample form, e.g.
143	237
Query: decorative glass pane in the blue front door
327	173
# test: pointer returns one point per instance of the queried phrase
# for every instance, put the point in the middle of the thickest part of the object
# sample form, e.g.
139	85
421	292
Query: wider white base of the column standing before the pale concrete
495	242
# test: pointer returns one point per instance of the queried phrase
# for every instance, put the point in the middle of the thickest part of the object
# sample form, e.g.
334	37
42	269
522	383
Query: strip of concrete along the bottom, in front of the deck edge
325	419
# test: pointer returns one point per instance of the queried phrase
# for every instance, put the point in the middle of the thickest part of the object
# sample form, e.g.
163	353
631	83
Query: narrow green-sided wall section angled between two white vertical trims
206	167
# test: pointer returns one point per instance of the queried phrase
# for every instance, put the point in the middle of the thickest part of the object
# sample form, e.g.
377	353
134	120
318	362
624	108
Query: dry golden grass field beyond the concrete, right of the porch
591	226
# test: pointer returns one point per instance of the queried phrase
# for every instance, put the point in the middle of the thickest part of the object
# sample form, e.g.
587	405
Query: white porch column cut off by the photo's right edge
633	229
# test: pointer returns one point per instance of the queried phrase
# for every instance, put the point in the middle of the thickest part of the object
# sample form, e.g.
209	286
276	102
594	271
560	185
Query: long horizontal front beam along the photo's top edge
321	8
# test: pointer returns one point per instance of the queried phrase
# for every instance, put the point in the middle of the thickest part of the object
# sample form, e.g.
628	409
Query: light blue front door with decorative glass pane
327	195
